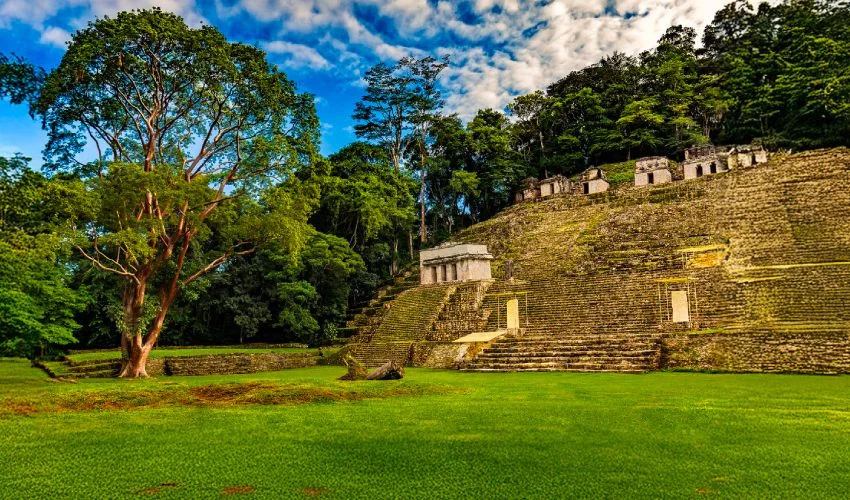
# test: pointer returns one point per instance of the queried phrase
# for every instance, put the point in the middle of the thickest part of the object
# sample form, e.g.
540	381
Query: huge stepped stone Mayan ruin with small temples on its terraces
726	262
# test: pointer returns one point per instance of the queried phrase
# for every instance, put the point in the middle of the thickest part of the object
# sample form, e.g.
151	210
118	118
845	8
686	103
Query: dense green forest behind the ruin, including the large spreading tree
207	215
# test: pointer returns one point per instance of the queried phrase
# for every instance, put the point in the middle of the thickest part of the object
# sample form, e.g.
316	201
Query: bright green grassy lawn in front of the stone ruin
435	434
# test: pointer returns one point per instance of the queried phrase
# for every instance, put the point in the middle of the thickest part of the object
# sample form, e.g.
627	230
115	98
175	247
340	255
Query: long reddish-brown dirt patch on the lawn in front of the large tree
213	395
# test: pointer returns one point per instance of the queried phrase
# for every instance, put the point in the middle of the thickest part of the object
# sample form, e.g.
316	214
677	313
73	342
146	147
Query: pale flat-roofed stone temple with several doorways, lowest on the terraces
454	262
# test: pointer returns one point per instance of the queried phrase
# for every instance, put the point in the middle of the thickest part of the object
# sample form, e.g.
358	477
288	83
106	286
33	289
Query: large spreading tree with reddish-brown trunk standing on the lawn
188	128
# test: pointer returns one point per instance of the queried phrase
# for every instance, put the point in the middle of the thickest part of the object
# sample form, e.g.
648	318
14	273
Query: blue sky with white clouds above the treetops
498	48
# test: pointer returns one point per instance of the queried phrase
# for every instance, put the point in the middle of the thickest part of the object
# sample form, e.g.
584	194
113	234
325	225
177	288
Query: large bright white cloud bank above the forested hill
565	35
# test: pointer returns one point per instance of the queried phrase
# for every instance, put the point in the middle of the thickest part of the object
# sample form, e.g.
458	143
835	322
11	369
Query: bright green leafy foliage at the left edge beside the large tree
37	305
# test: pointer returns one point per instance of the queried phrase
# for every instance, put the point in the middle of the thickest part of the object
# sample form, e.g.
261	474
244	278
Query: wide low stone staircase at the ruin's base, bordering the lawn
574	353
